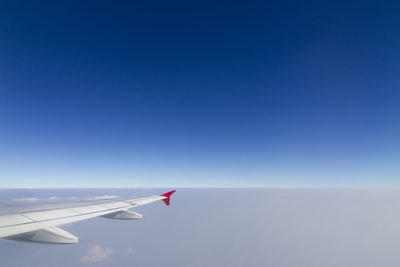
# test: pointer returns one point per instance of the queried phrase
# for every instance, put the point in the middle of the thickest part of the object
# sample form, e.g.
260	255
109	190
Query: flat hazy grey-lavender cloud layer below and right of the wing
238	228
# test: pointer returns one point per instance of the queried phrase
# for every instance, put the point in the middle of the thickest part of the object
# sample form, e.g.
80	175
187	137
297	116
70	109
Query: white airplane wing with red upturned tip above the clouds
42	225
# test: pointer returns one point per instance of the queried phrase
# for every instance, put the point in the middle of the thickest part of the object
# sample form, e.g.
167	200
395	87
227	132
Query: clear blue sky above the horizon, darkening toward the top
199	93
